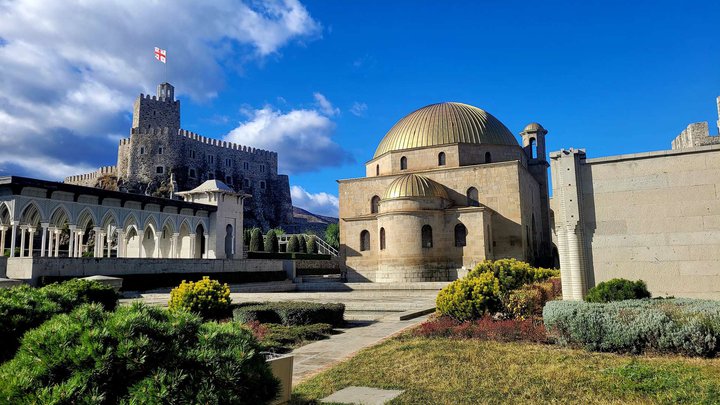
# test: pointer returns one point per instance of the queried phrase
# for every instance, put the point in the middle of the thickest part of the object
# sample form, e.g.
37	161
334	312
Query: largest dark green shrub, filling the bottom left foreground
137	354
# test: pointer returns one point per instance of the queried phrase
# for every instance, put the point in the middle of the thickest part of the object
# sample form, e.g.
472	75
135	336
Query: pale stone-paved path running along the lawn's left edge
318	356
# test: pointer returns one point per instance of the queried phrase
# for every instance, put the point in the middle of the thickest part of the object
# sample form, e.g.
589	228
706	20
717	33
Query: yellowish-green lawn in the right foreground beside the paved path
447	371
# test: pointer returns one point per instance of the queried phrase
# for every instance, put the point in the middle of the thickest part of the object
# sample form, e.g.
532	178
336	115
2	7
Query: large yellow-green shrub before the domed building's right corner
486	287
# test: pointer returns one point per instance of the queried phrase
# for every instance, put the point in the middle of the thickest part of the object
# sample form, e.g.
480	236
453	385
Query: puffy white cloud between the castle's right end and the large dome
302	138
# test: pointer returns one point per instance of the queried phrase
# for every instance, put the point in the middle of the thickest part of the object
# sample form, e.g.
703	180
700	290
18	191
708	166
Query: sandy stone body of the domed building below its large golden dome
479	201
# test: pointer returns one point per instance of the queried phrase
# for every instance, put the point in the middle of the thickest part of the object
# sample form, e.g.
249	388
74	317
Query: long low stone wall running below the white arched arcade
35	269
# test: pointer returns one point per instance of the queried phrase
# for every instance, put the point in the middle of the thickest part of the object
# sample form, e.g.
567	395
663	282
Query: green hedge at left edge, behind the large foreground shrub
23	307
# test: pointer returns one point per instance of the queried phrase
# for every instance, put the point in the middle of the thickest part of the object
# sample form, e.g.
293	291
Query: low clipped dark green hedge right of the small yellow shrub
291	313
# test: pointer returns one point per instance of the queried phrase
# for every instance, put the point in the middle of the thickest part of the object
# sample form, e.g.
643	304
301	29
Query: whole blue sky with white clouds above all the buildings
322	81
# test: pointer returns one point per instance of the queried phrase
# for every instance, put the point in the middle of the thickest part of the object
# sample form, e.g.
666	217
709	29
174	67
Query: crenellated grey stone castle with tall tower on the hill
159	158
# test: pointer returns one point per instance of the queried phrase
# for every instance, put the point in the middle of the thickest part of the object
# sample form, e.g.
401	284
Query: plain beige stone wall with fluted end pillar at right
651	216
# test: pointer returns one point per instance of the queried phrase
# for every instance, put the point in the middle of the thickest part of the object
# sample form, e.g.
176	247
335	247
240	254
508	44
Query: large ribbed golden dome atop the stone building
445	123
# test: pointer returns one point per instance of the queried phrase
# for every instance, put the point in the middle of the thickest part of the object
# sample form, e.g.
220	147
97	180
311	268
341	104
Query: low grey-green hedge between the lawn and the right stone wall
683	326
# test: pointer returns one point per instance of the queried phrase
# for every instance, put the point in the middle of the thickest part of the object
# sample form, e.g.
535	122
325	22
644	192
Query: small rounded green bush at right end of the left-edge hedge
73	293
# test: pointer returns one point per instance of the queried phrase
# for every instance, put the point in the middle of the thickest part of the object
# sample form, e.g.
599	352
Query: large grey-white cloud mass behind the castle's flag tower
71	69
